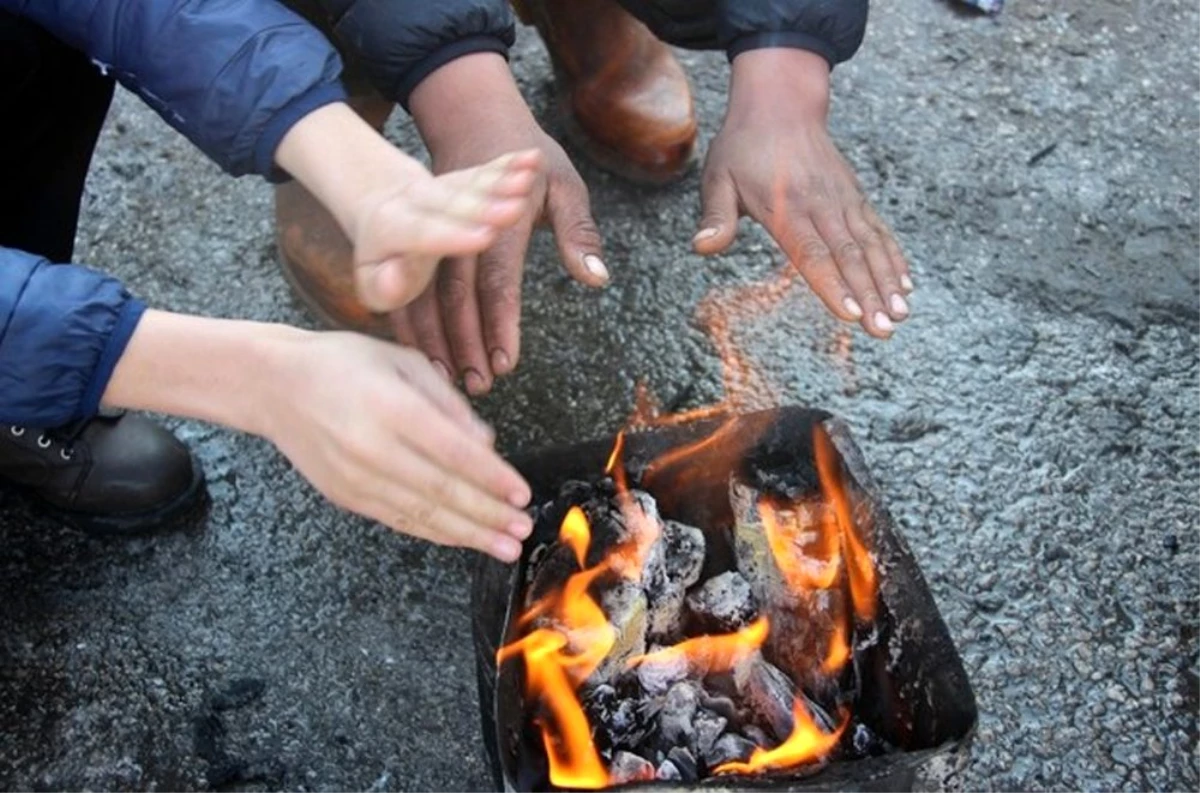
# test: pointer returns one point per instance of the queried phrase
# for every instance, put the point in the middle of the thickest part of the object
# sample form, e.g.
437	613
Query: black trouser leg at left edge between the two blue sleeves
53	103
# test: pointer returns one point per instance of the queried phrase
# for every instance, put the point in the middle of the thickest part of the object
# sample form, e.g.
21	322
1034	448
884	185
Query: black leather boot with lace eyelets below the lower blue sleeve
111	476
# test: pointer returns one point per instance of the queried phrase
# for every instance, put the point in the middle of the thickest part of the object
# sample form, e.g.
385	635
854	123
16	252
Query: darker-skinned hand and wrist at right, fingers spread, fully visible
775	161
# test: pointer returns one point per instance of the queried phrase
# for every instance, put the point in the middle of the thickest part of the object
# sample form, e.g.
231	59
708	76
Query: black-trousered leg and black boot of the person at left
115	473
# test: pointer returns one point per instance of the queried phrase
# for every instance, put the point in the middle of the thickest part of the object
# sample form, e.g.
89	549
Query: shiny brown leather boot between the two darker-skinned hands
626	99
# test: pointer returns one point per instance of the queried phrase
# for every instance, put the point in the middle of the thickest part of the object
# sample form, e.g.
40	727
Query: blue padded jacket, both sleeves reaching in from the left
233	76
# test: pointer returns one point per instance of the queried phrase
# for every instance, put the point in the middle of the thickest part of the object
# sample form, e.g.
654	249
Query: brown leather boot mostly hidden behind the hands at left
315	255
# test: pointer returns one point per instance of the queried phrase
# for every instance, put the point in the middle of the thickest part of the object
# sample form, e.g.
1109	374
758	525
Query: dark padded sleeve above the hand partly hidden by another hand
400	43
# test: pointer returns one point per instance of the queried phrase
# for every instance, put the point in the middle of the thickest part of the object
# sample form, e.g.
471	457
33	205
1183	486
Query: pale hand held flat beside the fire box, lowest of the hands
379	432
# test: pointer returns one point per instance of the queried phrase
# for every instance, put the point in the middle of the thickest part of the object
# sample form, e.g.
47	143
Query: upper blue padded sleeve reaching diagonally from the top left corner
233	76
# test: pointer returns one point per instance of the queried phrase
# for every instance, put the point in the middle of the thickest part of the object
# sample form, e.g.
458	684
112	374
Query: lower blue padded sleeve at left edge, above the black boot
63	328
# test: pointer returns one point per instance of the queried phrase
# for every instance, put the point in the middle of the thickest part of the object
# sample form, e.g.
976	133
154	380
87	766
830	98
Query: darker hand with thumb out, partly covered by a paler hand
469	321
